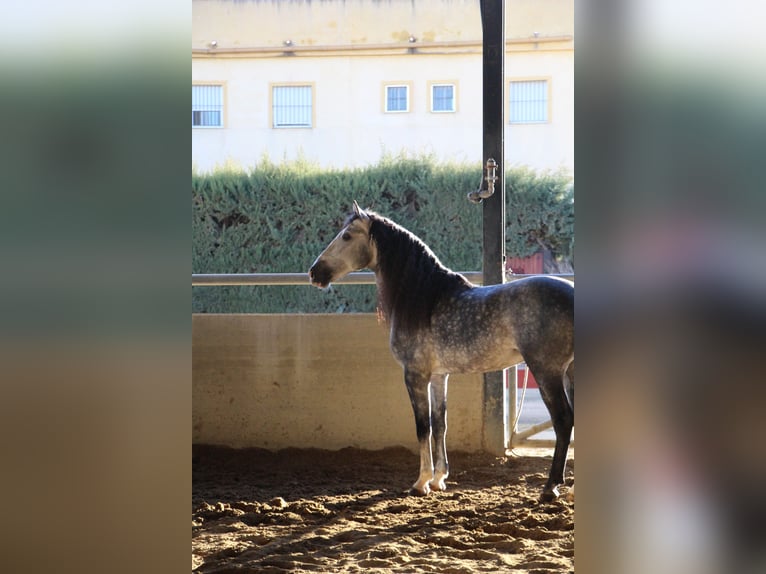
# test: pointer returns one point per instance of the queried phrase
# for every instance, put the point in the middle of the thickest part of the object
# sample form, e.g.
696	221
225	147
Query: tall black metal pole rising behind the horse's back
493	29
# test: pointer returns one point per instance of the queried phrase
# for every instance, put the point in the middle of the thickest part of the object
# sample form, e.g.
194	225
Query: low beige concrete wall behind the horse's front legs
321	381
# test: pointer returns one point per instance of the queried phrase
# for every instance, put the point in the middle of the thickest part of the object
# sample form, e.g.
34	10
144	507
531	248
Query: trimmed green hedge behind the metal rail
278	218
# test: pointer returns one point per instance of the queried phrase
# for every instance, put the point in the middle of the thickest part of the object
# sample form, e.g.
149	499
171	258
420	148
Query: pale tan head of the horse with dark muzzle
351	250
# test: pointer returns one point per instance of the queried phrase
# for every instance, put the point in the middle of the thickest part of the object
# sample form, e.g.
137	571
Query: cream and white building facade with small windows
343	82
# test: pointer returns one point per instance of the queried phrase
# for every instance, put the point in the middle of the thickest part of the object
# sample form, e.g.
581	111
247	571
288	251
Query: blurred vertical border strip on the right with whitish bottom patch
671	302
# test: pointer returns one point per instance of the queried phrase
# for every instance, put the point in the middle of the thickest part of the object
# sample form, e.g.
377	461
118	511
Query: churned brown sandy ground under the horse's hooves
349	511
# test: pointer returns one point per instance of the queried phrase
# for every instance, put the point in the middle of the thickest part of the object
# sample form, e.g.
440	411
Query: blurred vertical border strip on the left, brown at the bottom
95	398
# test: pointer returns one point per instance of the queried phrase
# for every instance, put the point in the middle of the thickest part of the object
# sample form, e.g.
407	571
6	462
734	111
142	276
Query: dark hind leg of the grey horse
555	399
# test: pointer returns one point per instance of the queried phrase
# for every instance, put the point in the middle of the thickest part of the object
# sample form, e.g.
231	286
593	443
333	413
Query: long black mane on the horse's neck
412	280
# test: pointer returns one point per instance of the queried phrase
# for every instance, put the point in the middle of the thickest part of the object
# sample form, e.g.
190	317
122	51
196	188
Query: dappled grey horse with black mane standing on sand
440	323
